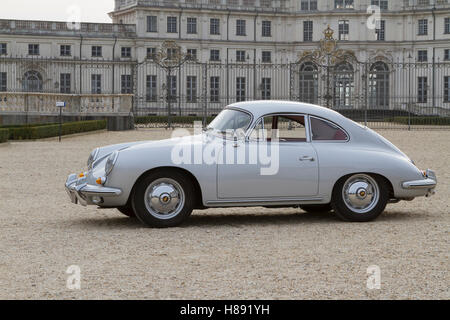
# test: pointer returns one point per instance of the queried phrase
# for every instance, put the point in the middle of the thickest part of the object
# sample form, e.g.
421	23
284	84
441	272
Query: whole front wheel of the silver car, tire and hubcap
163	199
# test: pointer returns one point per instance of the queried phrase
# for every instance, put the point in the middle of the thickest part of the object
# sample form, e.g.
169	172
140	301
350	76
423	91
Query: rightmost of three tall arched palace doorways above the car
379	86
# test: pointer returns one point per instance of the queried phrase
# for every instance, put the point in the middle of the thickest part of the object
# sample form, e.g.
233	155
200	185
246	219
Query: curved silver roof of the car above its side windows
261	108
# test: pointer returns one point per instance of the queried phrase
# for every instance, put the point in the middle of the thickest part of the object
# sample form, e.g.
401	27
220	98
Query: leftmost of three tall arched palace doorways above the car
308	83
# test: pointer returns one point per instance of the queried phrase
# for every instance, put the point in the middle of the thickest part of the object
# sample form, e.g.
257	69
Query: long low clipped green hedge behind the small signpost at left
47	131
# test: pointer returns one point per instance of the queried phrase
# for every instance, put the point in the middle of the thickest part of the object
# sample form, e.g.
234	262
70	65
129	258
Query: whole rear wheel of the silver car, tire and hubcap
360	197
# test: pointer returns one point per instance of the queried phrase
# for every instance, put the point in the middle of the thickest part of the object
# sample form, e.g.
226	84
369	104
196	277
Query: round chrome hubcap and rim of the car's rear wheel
361	193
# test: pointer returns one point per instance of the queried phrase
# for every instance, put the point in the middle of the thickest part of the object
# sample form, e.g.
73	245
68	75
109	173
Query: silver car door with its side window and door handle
291	172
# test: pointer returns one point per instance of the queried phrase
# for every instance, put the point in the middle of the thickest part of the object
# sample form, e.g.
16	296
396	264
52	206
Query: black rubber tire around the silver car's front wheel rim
150	219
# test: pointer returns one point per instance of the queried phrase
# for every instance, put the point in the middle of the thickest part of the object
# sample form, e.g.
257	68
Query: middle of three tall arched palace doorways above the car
344	85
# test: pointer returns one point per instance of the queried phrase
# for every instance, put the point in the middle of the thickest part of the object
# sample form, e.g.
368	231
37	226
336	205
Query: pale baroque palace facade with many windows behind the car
238	50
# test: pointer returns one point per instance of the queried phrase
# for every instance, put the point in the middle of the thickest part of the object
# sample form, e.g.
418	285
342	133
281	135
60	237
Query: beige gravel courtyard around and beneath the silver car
221	253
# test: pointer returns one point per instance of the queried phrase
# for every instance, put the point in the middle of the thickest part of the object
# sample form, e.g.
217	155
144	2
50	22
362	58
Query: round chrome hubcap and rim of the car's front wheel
164	198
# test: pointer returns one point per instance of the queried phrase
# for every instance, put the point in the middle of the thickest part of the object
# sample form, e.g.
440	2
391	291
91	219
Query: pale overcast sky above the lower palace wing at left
57	10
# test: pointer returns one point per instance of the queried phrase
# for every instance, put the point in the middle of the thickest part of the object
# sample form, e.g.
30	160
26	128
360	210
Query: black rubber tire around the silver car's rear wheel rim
345	213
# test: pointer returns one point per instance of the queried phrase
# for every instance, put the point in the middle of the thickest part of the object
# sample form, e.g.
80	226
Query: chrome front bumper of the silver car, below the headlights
86	194
